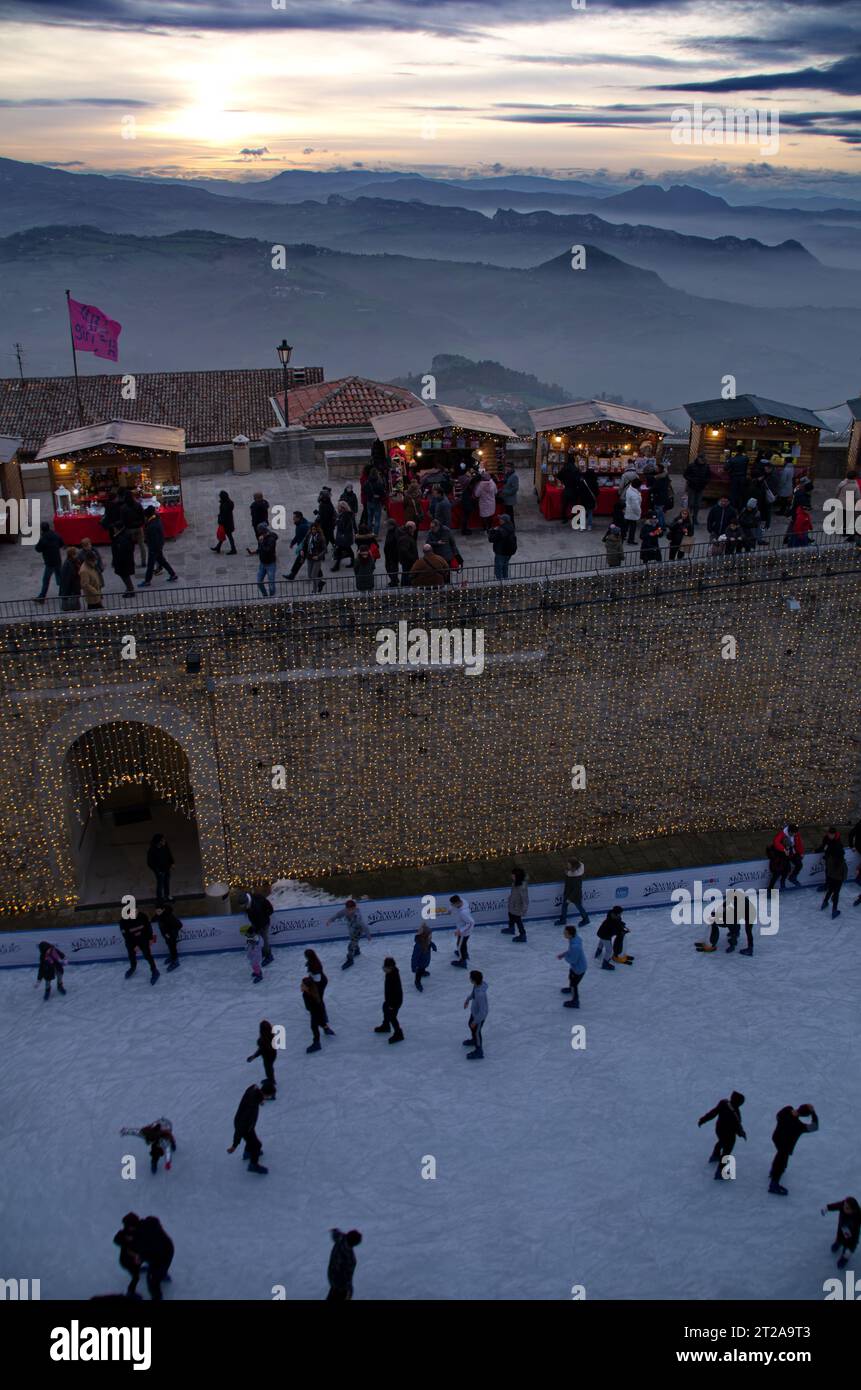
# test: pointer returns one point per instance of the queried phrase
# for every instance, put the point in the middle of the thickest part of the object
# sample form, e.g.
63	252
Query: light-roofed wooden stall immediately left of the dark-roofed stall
599	434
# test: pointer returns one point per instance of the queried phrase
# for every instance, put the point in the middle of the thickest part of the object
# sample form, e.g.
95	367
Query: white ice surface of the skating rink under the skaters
554	1167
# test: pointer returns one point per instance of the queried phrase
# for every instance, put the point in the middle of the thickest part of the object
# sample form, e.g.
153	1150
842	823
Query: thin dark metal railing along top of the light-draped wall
207	596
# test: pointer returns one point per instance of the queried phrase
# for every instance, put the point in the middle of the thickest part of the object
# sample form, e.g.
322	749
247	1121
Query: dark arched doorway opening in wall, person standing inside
124	783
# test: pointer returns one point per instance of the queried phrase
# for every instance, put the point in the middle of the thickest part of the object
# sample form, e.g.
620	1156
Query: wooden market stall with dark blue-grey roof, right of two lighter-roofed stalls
755	425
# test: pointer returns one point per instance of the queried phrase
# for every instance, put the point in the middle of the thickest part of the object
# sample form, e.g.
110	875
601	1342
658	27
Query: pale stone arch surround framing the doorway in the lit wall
168	723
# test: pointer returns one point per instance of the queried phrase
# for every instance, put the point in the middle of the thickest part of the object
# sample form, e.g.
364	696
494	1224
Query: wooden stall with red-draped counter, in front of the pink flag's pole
92	465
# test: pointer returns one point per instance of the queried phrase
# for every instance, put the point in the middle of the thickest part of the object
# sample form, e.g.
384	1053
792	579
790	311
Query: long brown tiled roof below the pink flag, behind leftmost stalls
212	407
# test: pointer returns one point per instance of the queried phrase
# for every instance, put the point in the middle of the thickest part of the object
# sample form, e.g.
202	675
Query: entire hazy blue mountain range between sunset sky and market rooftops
379	284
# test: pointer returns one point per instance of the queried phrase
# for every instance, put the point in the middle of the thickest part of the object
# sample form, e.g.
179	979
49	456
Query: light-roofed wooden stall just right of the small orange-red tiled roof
430	440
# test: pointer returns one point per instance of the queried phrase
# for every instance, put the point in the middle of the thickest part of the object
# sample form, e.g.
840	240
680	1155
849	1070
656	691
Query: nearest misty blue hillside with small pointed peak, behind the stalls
204	300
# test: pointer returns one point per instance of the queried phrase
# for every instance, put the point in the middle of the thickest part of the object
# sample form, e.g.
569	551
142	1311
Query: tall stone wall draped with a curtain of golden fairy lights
618	672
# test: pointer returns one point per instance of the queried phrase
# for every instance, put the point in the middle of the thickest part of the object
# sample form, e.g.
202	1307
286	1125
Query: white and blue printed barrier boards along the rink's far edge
97	945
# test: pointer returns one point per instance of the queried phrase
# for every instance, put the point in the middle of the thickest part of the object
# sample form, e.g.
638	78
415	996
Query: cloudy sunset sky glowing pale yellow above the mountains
247	88
